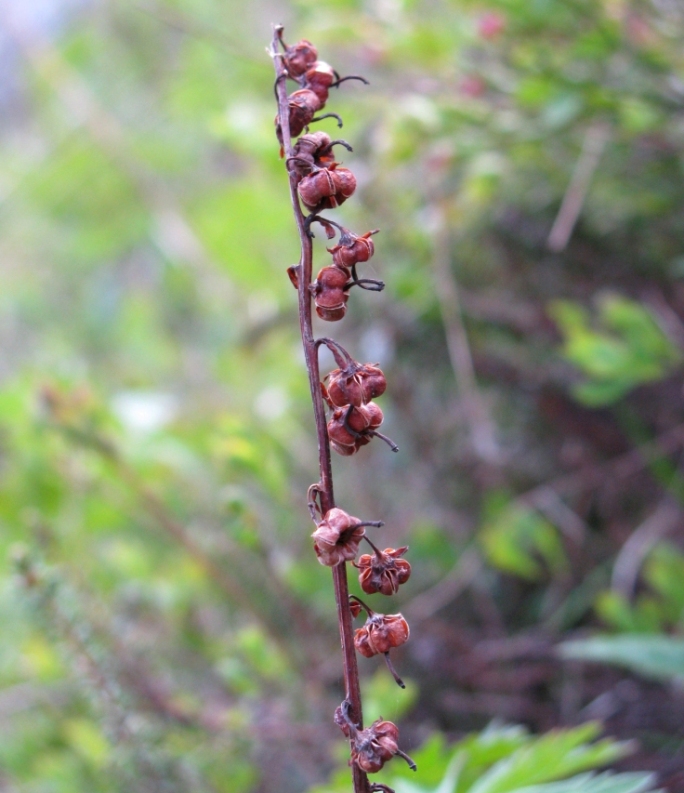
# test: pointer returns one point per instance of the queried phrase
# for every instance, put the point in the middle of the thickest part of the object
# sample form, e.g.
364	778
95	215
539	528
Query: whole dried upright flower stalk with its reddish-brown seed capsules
319	183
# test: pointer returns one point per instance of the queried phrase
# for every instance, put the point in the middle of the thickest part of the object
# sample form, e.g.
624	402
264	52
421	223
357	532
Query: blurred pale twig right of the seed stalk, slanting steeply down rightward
480	425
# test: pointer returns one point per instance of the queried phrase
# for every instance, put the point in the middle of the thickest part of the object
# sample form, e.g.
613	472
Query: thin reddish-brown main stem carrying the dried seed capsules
325	487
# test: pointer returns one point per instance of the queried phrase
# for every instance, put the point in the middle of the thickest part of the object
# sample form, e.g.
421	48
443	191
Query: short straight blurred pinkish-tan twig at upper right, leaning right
594	143
